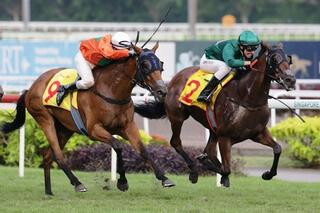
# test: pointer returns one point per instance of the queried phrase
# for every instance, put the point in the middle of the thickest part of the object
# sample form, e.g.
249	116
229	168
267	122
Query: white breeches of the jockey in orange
84	69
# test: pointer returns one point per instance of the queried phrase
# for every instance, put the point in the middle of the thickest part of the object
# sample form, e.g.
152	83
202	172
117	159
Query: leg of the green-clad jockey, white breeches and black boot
220	70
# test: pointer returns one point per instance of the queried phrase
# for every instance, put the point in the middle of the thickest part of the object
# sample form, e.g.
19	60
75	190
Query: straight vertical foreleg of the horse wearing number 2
225	151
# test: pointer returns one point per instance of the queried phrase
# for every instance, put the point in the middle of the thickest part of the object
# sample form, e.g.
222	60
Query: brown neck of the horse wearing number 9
115	80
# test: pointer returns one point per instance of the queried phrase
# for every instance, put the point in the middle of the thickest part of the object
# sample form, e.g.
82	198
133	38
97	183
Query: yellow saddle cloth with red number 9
66	76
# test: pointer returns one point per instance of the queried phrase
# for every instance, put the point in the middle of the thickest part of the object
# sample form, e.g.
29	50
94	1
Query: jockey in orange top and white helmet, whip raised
96	51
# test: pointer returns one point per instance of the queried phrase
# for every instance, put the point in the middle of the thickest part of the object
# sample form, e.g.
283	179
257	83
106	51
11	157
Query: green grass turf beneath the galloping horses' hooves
247	194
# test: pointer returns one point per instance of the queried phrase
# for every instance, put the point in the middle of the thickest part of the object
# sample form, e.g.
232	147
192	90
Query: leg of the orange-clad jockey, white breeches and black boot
86	81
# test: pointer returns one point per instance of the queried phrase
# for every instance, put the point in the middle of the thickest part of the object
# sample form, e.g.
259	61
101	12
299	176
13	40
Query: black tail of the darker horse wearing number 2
152	110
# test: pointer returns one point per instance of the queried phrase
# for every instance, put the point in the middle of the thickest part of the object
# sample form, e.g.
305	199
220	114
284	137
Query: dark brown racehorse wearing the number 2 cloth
241	111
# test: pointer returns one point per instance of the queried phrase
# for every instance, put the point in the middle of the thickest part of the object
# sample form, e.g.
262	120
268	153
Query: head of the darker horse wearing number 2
278	67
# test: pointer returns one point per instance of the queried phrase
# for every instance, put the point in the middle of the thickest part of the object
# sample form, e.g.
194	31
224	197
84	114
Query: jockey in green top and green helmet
222	56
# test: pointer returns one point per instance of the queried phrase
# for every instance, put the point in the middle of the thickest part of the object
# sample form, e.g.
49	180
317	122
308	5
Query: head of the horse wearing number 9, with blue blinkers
149	70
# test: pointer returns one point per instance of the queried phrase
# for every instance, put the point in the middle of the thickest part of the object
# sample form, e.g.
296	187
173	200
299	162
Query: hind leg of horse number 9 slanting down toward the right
46	122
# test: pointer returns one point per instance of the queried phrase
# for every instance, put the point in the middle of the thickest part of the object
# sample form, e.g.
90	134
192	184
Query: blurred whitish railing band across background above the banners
167	32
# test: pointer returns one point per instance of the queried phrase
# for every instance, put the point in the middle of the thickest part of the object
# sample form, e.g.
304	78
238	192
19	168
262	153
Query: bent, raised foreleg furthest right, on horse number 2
265	138
